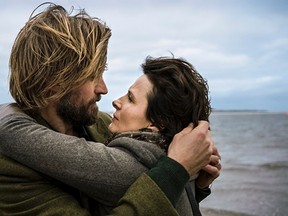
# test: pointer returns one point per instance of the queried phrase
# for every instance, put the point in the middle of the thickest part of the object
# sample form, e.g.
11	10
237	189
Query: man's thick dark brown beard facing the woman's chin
77	116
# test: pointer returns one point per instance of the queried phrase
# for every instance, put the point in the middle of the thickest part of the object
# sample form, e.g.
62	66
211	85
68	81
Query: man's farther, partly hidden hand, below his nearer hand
211	171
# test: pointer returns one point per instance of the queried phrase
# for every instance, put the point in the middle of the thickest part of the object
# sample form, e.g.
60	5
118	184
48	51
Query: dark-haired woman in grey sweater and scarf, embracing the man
164	100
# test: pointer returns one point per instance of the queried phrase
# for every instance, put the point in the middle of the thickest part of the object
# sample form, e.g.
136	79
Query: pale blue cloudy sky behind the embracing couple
239	46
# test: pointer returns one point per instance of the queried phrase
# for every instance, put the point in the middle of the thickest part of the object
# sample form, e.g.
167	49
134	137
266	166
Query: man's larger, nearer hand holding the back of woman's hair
192	148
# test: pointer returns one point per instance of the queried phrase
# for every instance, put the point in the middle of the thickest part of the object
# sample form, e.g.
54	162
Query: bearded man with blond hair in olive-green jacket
57	63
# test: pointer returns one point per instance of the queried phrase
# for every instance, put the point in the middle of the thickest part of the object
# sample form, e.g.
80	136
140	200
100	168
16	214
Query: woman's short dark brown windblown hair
179	95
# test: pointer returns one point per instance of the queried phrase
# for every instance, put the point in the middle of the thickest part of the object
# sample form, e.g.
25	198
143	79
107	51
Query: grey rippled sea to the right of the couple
254	175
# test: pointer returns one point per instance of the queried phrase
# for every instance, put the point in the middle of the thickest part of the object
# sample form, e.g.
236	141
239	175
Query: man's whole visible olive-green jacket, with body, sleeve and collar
24	191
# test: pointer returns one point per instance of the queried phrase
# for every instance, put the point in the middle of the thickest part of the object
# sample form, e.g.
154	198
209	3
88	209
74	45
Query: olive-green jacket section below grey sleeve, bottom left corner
26	192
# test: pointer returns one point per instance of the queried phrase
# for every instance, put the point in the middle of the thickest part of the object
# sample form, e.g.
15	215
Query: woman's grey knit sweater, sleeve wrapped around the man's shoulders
102	172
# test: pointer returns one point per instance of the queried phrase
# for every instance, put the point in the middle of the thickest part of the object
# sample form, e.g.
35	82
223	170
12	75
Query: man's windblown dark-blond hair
56	50
